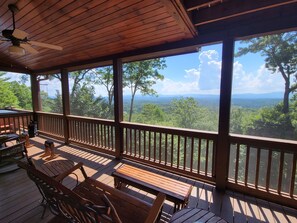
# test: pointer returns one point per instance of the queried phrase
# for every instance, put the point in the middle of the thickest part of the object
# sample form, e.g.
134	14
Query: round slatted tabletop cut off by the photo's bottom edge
191	215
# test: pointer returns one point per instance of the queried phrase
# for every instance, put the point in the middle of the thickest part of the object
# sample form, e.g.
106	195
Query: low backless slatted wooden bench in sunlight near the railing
175	191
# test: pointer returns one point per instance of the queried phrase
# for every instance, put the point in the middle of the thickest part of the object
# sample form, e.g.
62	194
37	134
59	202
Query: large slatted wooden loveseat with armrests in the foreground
91	200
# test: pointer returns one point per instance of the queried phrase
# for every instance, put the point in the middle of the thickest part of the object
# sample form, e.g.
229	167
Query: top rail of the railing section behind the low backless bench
172	130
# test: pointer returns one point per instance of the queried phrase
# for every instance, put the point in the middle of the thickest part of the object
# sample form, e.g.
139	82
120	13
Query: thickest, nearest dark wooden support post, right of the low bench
222	150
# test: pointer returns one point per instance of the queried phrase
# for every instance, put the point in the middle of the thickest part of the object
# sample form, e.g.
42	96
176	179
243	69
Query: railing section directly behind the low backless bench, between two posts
182	151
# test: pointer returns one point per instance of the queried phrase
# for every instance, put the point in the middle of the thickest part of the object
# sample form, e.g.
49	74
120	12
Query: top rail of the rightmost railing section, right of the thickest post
264	142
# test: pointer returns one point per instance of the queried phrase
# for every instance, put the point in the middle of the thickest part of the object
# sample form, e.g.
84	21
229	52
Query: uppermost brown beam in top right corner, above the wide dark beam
236	8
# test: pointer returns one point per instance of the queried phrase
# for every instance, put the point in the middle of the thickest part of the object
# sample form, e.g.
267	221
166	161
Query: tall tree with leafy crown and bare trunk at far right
280	52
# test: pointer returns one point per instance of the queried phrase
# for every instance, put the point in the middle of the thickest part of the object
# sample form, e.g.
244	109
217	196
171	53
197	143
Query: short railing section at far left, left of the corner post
15	122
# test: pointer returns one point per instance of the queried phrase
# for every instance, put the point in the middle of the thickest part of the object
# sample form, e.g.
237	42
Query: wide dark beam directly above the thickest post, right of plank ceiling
275	20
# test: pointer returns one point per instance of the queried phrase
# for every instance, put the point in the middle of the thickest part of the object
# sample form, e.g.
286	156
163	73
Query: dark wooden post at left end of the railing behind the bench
118	106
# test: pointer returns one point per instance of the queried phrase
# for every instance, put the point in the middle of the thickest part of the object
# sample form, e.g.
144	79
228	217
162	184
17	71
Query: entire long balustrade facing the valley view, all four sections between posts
261	167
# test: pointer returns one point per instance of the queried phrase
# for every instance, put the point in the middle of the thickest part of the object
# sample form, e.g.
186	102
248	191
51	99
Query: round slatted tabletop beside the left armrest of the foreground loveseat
54	168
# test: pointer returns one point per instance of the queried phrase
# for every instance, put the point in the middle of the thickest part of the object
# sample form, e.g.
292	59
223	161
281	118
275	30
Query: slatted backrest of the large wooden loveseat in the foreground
65	202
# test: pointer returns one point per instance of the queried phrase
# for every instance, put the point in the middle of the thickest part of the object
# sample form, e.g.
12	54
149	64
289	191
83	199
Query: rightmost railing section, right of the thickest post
263	166
